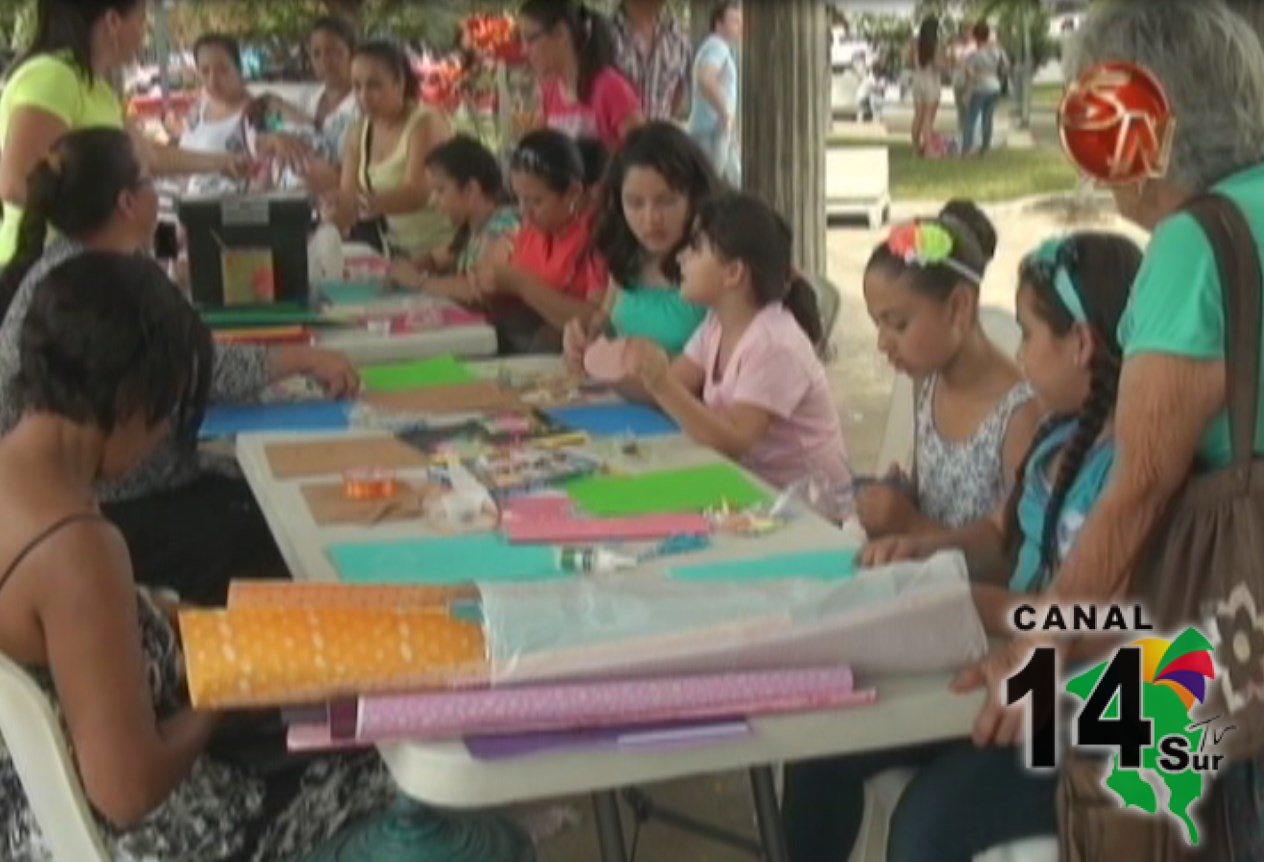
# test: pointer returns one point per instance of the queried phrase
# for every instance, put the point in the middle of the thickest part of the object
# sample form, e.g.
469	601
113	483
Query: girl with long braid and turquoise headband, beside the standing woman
1071	296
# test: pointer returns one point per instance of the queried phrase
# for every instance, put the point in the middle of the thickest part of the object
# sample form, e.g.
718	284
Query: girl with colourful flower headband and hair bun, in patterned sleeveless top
975	416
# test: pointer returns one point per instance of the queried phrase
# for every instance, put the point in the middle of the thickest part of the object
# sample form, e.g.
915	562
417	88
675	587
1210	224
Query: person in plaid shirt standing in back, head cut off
653	51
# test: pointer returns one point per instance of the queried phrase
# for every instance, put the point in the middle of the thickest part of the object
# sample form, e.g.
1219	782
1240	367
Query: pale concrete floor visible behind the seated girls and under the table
861	381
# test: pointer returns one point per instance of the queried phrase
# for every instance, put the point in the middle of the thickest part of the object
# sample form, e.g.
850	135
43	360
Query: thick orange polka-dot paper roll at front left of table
275	657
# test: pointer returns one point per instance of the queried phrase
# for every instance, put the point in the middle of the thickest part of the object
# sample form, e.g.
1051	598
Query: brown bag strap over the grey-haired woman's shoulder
1241	286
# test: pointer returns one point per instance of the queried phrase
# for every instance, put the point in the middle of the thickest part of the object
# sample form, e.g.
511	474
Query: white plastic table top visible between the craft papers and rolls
911	710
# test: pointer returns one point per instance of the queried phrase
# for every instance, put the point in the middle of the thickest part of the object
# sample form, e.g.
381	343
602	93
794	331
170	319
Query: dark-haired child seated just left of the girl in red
470	190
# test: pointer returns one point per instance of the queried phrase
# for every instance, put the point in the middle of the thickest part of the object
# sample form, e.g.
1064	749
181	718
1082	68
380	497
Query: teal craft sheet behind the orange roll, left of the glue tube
444	561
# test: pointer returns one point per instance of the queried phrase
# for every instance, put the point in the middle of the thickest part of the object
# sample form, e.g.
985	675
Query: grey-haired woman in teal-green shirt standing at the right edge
1171	424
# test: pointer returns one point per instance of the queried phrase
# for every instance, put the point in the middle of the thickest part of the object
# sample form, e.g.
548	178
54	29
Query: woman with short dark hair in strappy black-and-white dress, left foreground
114	361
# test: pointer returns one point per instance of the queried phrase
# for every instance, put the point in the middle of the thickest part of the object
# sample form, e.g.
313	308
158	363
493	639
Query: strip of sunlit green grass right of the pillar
1003	175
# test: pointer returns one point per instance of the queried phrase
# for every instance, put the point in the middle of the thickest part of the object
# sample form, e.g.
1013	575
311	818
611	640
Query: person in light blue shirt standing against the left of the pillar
717	85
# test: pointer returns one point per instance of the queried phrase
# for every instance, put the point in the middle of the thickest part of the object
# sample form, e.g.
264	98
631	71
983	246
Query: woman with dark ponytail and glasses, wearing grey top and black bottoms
176	507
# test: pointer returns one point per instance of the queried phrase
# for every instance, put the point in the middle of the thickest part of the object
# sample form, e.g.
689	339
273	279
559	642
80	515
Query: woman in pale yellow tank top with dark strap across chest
385	198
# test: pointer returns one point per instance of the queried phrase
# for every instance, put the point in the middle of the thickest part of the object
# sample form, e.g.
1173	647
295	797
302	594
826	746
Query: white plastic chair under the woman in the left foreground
33	738
